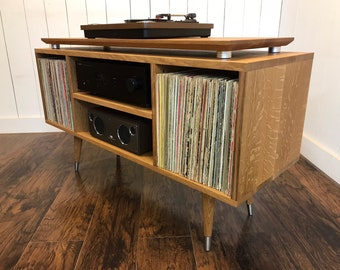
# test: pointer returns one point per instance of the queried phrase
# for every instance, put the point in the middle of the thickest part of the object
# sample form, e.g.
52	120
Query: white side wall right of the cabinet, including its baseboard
315	26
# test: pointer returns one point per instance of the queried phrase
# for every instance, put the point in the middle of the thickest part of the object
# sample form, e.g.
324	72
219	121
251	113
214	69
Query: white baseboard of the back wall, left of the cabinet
25	125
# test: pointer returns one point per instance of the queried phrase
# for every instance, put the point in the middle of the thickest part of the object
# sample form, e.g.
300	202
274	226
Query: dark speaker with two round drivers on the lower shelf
123	130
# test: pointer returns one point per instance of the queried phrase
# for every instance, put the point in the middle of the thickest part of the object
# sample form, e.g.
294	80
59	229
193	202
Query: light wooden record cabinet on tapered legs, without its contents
272	98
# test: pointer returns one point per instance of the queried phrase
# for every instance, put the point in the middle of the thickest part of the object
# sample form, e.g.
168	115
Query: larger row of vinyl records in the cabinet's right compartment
196	114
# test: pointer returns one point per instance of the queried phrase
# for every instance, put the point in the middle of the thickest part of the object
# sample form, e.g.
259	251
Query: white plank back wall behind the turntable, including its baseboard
24	22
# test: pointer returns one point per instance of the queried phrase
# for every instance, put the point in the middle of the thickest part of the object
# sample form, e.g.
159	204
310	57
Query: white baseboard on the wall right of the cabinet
323	158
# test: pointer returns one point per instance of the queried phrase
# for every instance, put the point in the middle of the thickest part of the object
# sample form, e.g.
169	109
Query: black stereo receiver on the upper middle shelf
121	81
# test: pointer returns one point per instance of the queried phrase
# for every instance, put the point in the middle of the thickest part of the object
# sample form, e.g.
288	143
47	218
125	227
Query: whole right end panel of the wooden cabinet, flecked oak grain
272	109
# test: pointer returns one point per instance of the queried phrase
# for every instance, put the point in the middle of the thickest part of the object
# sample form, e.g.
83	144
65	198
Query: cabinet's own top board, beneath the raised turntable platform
241	61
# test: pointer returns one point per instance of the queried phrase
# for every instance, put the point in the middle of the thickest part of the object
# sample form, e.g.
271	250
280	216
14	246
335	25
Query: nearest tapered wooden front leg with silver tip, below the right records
208	204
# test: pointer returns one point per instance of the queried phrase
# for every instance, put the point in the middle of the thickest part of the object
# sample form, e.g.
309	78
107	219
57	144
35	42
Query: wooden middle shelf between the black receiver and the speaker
84	96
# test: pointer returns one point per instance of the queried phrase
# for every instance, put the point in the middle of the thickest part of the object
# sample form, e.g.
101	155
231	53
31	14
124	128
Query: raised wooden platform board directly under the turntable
211	43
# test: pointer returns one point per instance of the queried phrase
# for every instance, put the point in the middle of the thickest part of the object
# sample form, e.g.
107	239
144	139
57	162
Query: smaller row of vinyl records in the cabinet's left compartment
56	91
